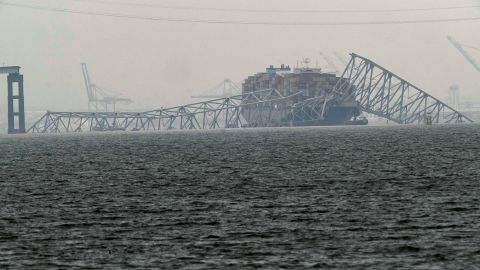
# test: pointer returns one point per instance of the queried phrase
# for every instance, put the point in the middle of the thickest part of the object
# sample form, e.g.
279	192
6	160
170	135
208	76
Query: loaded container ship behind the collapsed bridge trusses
307	83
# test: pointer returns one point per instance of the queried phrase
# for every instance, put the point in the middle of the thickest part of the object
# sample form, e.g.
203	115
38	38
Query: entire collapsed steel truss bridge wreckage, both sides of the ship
376	90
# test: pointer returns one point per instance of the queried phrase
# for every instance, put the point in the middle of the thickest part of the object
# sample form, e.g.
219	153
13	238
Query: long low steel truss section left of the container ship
217	113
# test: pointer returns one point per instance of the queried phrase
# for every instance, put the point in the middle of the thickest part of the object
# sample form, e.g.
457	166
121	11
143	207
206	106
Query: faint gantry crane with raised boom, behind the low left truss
99	98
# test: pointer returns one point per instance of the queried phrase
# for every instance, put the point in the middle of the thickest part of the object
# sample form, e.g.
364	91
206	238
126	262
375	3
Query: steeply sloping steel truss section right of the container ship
382	93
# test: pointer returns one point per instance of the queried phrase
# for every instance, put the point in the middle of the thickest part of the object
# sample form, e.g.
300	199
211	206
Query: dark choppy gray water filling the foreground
357	197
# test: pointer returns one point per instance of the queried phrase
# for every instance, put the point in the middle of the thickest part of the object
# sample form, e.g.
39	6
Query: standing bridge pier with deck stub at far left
16	99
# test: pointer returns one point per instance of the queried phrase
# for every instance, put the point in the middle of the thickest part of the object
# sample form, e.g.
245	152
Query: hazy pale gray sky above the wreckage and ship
159	63
